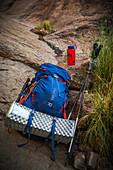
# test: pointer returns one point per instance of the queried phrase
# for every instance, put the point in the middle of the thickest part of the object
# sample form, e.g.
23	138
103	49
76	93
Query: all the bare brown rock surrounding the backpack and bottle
21	53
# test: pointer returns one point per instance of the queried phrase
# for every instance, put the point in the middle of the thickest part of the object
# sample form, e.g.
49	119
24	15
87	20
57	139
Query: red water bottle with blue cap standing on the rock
71	55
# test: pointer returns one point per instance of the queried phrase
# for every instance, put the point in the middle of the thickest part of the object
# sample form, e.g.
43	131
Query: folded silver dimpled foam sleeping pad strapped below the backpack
18	116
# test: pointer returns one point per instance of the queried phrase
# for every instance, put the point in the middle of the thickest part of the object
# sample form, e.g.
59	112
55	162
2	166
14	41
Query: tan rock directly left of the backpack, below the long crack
13	75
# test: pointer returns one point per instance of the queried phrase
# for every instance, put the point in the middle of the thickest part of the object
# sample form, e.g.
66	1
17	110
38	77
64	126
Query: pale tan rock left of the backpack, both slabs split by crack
21	53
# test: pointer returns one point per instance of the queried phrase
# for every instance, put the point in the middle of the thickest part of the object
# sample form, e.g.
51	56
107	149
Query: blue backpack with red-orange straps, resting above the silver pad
50	94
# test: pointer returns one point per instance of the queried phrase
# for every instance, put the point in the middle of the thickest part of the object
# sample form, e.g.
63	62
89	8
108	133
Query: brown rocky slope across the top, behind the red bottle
75	21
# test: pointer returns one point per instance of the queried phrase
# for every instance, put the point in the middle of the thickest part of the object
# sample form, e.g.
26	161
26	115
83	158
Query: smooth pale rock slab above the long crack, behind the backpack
19	44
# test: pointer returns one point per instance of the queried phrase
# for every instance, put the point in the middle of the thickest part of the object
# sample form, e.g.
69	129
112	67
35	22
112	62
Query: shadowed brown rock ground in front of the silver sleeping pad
36	155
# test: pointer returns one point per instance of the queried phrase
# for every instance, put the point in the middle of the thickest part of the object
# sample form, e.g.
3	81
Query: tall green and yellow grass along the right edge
100	121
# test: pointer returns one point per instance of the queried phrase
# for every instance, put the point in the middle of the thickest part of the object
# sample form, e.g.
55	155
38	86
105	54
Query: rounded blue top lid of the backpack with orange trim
52	70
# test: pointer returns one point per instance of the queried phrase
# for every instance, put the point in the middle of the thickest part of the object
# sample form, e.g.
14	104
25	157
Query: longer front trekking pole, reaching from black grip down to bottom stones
95	53
